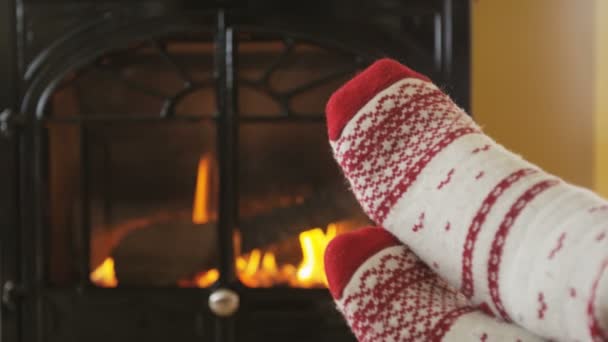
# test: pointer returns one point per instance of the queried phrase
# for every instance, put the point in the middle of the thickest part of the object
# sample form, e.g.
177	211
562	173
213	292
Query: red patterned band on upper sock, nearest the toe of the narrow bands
477	223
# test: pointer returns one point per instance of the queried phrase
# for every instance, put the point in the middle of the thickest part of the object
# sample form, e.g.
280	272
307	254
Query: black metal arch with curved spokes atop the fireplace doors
93	46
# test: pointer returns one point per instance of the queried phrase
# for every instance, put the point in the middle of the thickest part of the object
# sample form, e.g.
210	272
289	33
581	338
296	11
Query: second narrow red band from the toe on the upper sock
501	237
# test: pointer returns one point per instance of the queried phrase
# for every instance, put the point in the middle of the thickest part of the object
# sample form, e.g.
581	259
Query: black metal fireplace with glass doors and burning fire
166	163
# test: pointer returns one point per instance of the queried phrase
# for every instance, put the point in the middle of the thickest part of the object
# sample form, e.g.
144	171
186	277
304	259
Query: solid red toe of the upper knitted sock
352	96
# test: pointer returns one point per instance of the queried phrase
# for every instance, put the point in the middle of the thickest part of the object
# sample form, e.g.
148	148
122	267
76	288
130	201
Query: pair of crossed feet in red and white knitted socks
478	244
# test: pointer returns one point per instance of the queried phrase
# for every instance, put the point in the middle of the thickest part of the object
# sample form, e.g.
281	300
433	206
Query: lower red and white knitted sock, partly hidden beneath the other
387	294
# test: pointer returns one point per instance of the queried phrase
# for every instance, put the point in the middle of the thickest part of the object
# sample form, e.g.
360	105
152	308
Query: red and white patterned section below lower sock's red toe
397	298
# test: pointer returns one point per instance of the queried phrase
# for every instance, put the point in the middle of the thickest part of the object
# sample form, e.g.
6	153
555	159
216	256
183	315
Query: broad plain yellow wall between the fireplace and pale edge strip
533	80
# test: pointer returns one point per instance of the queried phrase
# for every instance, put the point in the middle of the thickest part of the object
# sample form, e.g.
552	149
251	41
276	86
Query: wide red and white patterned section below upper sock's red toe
386	145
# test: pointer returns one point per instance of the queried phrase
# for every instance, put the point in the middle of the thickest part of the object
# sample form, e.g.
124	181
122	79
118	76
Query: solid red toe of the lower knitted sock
347	252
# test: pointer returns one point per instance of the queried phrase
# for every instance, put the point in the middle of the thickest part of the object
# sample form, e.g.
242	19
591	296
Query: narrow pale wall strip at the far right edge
601	97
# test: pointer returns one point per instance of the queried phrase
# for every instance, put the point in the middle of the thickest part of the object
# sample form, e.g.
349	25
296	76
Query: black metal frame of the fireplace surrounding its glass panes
38	313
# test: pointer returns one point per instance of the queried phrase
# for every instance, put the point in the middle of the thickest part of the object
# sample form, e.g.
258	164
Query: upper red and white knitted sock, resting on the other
521	243
